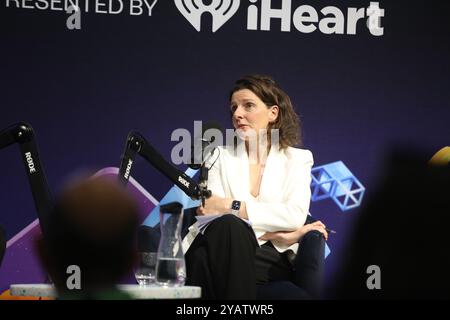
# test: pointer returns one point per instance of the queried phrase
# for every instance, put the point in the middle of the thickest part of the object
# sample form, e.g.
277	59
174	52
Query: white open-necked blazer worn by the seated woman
284	196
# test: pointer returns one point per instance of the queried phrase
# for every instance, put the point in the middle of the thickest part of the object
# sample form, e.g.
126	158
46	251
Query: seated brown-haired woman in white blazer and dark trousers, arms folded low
264	179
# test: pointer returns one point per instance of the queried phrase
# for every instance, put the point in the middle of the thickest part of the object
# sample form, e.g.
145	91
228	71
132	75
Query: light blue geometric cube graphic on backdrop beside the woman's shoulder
335	181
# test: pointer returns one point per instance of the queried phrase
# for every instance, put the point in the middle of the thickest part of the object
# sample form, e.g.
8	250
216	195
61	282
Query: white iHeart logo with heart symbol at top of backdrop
264	15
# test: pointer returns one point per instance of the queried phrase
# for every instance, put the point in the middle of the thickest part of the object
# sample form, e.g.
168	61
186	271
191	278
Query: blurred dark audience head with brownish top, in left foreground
93	227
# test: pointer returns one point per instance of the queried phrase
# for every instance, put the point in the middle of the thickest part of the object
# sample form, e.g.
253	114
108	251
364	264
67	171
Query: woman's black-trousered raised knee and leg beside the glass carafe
222	260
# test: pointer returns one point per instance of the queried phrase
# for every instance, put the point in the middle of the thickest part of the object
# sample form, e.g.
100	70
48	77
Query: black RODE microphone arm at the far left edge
23	134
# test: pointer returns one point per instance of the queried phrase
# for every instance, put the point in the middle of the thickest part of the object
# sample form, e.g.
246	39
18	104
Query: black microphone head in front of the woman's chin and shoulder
204	144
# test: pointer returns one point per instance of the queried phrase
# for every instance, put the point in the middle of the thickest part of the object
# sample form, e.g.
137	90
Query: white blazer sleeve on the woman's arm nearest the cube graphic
291	213
